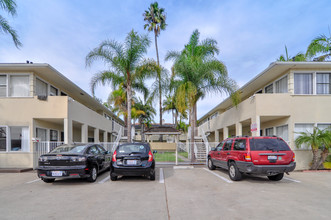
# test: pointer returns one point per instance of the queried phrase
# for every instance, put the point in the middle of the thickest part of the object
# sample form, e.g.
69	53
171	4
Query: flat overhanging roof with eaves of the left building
50	74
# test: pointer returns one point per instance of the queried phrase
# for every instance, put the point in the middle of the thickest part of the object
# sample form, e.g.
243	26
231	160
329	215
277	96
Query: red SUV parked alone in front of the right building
268	156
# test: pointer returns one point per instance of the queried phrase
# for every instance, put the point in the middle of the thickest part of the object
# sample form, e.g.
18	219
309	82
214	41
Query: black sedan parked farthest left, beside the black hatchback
74	161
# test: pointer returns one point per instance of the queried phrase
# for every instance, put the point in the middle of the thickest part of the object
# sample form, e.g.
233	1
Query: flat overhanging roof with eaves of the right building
274	70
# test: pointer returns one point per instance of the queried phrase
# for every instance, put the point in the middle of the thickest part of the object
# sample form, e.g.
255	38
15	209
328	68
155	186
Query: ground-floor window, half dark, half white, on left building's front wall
19	139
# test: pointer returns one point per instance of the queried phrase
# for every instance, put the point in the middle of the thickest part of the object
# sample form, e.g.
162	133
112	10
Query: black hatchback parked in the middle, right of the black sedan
133	159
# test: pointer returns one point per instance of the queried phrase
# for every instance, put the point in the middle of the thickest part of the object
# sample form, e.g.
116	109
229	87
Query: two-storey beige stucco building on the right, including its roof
286	98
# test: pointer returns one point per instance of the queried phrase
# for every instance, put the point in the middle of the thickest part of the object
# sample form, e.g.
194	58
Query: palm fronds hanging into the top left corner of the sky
10	7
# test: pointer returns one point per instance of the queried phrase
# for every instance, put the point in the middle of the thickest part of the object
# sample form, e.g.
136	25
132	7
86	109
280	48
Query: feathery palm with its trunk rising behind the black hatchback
126	63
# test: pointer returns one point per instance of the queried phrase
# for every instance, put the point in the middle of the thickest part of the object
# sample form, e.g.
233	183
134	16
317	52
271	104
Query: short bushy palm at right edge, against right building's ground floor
318	139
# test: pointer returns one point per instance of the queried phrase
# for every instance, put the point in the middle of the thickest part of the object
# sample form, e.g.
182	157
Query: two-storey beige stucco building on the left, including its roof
37	103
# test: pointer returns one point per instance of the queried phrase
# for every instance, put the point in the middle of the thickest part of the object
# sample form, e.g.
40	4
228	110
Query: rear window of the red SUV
268	145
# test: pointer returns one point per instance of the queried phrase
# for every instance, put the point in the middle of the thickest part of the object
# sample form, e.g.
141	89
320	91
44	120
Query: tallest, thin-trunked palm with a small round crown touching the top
156	21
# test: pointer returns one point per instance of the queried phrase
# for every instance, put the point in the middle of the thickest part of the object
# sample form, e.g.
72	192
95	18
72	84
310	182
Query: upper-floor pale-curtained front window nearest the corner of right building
303	83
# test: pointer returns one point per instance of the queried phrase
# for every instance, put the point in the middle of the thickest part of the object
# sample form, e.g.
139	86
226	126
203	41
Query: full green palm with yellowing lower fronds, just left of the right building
197	72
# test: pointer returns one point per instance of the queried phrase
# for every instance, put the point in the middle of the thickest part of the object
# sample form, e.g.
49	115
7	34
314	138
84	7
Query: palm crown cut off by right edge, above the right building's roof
320	47
